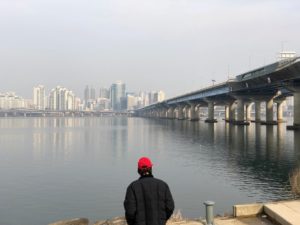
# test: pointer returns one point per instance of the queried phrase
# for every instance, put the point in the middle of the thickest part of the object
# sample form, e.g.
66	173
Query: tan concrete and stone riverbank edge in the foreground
274	213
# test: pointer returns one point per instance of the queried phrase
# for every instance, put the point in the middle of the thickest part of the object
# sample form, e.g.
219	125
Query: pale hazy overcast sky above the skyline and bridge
171	45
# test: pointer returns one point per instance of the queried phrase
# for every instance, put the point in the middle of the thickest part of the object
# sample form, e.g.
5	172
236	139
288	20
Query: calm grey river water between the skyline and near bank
59	168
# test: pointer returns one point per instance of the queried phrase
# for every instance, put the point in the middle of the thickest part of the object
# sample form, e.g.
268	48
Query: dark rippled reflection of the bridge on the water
262	157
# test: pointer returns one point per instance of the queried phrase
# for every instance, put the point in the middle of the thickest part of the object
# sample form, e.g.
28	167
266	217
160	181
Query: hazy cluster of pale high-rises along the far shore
114	98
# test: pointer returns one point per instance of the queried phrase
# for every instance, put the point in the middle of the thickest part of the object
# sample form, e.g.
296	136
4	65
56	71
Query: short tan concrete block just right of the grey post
247	210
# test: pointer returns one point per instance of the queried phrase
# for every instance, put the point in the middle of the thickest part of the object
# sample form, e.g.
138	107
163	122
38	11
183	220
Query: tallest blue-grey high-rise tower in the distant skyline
117	93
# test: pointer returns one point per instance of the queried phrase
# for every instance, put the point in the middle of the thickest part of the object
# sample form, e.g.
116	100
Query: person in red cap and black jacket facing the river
148	200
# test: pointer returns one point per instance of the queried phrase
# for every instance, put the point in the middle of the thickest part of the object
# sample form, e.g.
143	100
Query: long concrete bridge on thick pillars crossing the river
270	84
